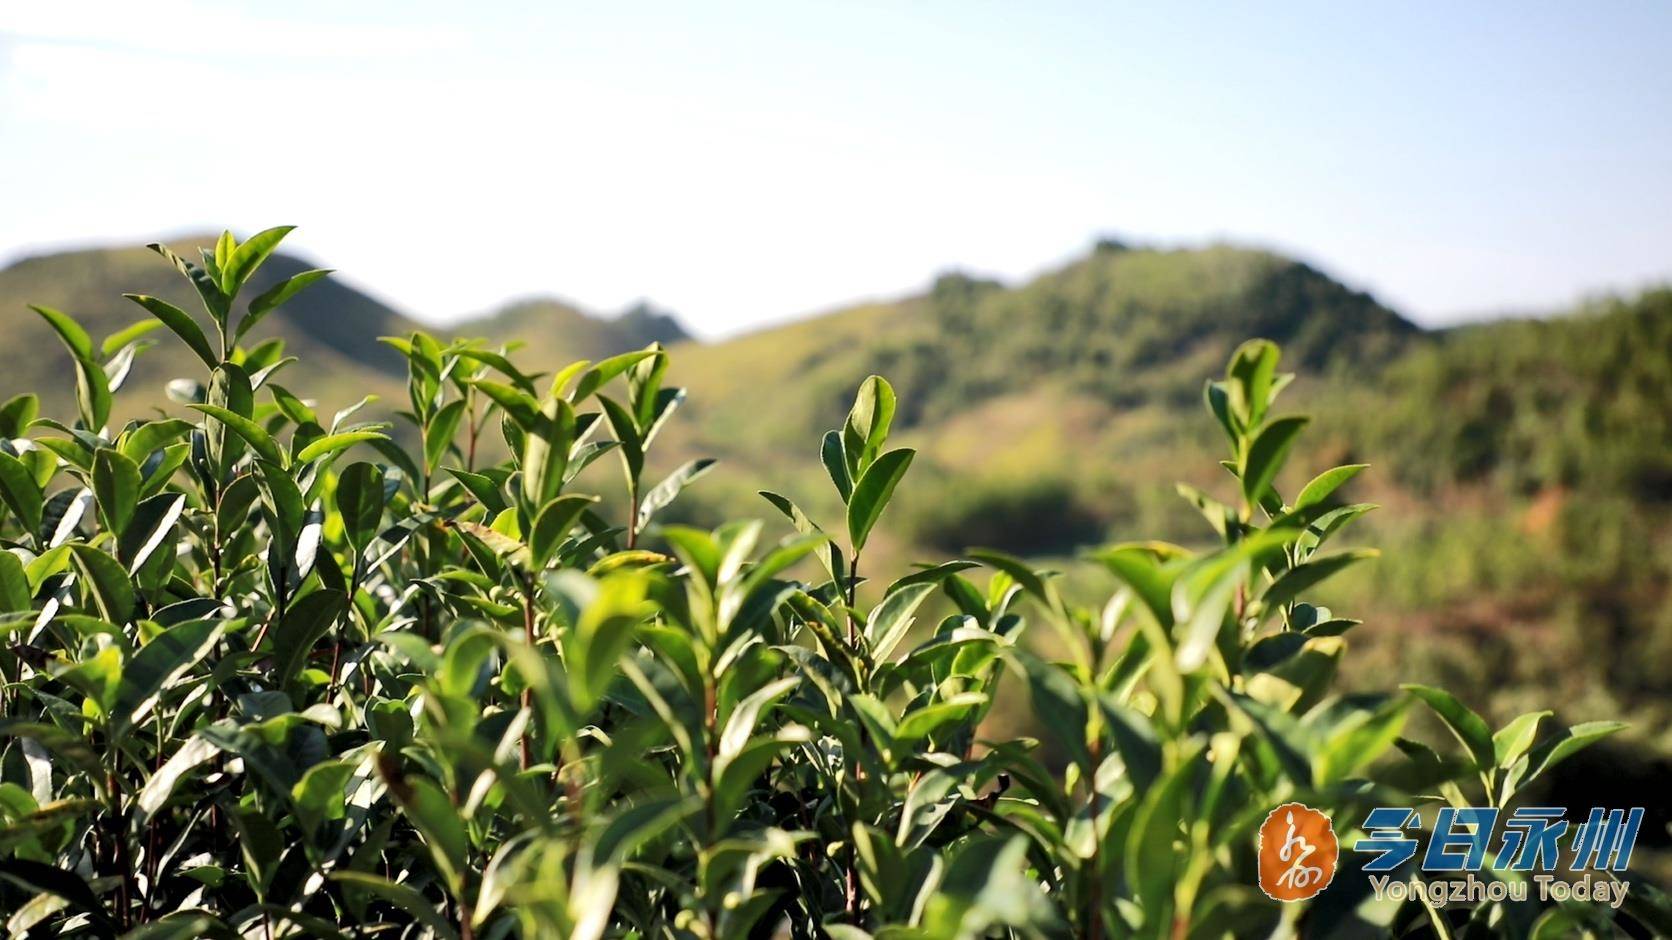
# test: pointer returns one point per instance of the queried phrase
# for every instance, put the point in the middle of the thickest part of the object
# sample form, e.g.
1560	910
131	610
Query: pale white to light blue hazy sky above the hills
745	163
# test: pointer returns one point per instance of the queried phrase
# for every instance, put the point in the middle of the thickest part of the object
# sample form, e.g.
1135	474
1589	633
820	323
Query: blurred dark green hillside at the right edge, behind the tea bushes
1529	528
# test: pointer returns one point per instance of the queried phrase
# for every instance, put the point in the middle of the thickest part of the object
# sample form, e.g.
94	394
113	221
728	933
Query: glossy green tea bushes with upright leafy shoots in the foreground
257	688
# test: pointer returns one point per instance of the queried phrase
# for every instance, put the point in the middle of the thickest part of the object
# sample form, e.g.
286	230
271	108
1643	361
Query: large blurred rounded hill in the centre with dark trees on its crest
1044	414
